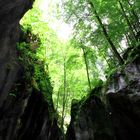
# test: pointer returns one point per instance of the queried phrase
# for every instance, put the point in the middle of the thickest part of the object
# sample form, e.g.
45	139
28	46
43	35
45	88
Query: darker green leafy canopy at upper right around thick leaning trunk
88	31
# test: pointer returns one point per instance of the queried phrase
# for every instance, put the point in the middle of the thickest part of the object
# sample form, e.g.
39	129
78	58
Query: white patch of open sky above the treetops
62	29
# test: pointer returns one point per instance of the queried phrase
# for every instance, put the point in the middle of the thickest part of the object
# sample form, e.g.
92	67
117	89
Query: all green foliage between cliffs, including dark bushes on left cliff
79	63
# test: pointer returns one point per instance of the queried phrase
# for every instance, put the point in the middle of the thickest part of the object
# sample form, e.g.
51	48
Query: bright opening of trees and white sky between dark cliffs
78	58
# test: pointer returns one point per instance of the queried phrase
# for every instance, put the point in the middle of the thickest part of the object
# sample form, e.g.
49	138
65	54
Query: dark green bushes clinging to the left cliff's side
36	75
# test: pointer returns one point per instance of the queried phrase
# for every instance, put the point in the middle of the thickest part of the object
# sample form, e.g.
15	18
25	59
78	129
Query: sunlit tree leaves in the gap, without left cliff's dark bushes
87	35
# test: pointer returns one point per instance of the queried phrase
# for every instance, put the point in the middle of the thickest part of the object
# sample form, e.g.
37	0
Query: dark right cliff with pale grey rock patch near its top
116	119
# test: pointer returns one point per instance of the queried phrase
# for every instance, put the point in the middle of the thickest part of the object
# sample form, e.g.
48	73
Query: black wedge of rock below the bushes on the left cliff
37	123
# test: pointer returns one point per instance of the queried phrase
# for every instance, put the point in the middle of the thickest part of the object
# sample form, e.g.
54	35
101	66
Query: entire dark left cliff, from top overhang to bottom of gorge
23	112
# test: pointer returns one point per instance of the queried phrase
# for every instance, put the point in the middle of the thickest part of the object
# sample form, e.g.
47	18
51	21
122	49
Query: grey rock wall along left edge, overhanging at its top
10	14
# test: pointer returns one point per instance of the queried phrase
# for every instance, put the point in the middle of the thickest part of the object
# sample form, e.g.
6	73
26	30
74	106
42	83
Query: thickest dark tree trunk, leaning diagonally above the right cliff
113	48
